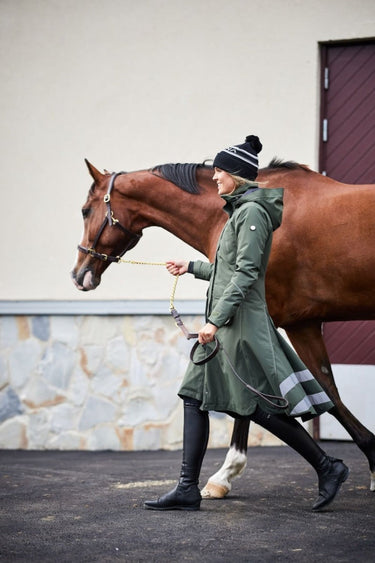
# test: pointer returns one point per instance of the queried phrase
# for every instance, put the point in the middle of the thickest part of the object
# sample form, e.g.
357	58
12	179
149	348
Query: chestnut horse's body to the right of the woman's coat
322	257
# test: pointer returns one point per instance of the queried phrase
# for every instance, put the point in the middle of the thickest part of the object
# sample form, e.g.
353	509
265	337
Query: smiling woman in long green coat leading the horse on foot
236	313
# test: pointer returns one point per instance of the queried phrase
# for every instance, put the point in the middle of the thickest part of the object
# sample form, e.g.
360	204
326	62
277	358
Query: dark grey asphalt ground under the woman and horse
88	507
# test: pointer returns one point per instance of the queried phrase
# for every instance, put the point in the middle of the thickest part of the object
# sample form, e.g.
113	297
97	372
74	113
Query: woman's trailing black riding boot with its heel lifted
331	472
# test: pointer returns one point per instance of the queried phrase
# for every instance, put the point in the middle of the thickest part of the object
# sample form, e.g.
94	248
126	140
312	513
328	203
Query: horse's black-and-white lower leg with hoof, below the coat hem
220	484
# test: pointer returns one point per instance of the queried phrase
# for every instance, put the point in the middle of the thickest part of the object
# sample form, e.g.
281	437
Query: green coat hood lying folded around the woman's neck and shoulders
271	199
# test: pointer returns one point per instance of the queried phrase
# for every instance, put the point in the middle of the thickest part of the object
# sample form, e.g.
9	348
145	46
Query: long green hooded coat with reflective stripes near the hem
236	305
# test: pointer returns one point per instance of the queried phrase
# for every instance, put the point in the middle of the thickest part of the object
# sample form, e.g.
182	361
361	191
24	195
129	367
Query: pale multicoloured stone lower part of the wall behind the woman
97	382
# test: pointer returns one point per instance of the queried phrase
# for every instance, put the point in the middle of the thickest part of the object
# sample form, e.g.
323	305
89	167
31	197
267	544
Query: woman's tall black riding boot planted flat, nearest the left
186	495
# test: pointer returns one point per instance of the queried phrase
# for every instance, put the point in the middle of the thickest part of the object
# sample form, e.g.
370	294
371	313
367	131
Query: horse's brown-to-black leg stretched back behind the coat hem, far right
308	342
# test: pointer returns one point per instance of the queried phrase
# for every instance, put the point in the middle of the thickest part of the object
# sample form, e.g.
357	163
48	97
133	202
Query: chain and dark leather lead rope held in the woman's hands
266	397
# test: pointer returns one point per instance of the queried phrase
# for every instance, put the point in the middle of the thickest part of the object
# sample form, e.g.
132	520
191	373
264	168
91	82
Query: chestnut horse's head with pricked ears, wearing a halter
105	236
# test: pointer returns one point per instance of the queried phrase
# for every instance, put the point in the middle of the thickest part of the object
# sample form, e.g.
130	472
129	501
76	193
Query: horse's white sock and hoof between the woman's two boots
219	484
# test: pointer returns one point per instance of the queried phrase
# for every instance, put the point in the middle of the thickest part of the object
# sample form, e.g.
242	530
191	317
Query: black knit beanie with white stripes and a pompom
240	160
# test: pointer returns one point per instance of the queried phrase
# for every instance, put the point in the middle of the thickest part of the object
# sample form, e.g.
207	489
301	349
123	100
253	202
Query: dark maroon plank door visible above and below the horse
347	154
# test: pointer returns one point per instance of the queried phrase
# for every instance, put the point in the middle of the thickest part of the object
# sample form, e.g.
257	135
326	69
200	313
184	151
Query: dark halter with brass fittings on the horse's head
112	222
